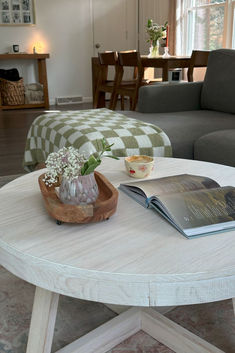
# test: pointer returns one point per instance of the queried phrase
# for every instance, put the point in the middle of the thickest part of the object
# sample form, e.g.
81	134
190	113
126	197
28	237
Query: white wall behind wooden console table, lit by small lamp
65	30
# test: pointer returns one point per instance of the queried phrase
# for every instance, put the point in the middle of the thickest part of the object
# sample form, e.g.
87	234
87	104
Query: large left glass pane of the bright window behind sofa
206	26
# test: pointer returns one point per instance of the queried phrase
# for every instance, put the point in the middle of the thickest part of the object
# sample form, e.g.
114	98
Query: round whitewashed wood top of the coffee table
134	258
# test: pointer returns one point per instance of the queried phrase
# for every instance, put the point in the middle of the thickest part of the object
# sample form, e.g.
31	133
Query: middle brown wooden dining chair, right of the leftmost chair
128	59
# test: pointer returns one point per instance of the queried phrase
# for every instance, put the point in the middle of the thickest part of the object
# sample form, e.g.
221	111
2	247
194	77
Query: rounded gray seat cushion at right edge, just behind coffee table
216	147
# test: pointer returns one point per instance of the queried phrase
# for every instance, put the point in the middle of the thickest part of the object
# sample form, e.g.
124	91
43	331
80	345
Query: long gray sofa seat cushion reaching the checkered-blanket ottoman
184	128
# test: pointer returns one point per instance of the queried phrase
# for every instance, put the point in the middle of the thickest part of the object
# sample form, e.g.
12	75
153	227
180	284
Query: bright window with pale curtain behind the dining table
205	24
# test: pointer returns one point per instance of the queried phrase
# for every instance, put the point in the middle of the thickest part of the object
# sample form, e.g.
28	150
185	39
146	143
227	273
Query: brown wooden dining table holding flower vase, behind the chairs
164	63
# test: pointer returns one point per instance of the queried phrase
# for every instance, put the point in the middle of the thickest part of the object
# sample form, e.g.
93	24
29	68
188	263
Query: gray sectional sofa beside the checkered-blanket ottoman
198	117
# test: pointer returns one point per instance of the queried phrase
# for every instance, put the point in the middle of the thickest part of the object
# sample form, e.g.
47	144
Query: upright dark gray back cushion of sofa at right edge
219	84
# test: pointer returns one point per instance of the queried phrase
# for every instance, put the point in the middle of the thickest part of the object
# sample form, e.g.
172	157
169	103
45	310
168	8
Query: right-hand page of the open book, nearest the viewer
201	208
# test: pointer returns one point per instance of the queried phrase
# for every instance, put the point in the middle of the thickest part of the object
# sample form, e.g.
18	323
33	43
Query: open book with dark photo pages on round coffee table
195	205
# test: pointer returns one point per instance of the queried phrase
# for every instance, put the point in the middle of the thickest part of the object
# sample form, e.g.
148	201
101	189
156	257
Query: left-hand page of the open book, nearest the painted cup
174	184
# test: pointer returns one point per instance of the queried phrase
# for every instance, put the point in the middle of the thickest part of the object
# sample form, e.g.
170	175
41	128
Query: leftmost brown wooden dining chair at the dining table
104	85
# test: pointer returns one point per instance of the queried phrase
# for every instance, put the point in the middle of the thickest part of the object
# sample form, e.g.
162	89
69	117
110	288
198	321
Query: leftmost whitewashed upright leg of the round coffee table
42	321
